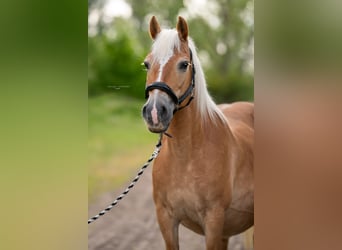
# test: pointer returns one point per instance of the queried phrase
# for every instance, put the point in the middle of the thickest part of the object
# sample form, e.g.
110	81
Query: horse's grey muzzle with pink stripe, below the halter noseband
158	112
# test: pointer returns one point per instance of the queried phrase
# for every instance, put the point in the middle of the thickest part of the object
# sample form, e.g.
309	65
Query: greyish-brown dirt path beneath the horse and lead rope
132	225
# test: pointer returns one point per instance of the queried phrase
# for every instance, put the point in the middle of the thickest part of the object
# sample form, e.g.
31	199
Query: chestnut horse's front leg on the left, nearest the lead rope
169	228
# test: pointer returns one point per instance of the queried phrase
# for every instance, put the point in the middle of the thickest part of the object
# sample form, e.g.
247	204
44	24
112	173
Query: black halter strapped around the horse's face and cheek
165	88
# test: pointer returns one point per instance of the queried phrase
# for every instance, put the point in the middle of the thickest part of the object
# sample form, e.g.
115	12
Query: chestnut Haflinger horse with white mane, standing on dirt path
203	176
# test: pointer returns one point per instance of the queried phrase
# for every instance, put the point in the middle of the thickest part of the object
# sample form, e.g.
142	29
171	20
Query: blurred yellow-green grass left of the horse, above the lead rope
118	142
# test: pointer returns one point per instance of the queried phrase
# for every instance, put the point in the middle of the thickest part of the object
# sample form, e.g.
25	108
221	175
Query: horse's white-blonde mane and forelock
163	49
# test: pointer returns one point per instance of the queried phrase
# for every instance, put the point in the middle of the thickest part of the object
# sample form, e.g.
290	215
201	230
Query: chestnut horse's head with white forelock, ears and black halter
170	75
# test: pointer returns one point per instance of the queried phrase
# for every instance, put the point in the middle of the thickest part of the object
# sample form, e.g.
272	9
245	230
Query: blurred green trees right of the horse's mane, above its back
226	47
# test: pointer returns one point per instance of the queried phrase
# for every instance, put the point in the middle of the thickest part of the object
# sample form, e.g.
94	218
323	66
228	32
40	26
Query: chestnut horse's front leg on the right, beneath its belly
214	222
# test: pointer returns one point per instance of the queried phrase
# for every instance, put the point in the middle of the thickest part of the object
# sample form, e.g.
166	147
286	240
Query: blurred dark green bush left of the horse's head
115	64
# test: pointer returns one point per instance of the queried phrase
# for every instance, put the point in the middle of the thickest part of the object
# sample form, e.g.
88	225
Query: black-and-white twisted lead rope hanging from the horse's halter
135	180
